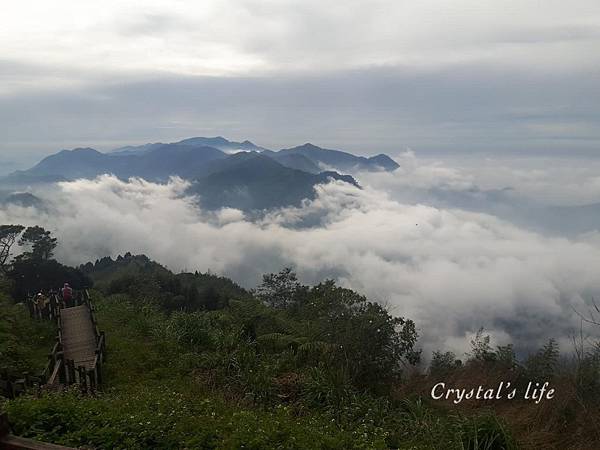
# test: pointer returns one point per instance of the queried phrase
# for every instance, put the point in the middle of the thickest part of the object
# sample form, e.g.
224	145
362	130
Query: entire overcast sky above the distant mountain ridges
503	76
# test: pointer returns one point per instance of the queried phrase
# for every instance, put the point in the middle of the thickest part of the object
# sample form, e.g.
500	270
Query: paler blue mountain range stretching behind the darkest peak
190	158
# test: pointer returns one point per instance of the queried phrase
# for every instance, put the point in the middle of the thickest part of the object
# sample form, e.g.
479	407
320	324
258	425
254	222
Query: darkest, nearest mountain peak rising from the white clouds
251	181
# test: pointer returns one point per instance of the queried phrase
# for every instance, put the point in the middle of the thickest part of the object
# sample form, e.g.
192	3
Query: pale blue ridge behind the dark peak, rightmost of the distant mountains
339	160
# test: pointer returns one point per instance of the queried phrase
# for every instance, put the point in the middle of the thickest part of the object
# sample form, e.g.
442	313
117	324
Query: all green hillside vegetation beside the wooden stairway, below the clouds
195	361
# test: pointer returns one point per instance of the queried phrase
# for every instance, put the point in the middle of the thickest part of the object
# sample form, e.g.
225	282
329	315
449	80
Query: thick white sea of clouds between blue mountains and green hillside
452	271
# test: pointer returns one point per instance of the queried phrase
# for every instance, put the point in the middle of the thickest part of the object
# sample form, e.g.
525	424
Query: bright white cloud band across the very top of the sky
224	37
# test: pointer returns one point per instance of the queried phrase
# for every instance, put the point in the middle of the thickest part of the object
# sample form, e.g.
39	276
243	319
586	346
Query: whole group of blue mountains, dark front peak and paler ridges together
252	178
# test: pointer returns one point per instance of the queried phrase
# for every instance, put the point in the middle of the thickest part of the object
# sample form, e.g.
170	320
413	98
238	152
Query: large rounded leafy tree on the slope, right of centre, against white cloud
371	345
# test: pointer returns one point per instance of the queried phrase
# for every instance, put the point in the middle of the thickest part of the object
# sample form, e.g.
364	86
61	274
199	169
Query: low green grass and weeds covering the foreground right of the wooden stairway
155	397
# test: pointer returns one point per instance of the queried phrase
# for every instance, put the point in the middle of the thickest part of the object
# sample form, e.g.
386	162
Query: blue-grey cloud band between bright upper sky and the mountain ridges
461	110
